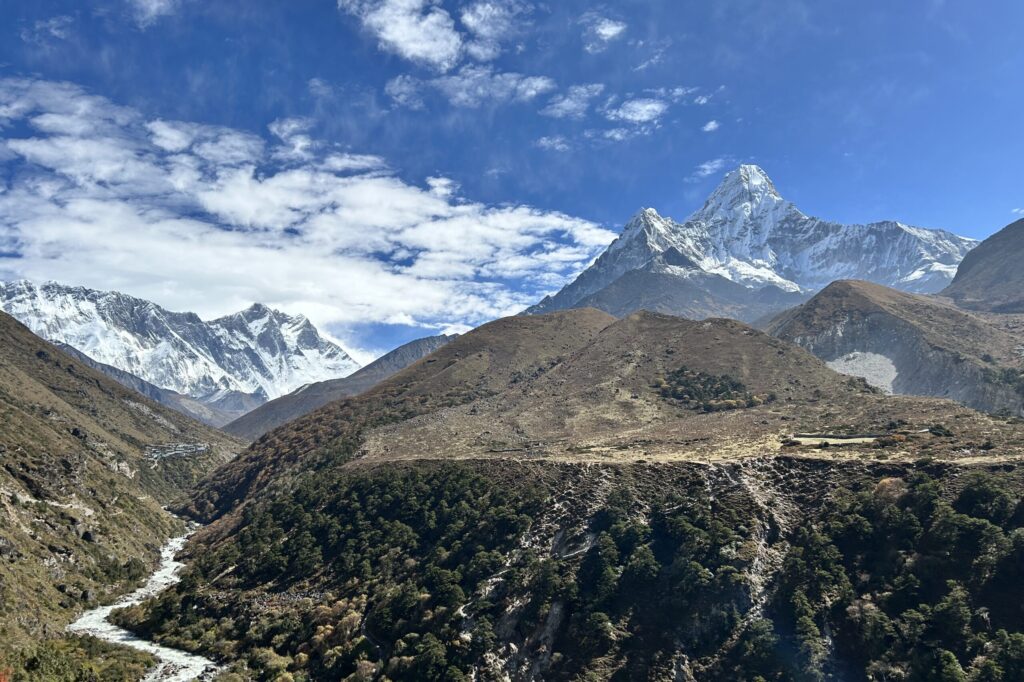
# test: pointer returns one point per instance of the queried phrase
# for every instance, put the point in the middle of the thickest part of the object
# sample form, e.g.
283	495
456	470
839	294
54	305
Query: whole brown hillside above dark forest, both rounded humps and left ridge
570	386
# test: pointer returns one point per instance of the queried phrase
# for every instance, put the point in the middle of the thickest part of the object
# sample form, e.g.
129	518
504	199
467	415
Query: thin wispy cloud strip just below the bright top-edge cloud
472	87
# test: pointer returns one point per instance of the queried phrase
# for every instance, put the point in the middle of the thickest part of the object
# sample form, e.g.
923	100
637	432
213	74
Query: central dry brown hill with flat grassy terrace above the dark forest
602	403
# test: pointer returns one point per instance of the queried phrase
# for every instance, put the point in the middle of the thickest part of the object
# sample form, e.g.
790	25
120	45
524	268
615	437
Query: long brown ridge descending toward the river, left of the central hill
480	364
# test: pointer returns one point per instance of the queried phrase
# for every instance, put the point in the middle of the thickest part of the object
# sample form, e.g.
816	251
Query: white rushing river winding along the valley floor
174	666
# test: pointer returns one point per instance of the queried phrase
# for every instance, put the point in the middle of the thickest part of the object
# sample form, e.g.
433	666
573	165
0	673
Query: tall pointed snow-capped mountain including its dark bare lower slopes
747	235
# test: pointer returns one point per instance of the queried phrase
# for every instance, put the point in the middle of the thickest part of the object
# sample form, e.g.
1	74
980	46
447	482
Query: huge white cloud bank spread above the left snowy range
107	200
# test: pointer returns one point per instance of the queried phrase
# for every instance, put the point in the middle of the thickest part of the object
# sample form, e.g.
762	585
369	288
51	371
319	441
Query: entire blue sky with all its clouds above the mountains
394	167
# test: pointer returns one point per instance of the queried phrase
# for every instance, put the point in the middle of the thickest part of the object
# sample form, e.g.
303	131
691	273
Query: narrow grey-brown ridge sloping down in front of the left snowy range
309	399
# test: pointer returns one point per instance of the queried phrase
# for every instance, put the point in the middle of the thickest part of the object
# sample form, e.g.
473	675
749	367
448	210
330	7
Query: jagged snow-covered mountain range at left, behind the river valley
234	363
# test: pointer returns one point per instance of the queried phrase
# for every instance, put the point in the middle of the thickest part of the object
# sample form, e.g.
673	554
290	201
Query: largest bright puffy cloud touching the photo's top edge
416	30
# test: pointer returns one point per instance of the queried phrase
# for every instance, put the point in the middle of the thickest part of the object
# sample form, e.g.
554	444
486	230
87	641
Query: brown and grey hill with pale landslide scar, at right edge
910	345
